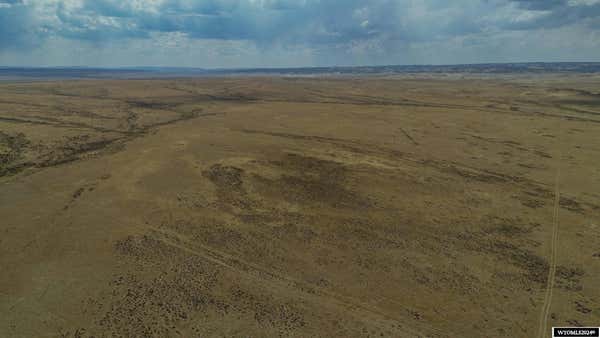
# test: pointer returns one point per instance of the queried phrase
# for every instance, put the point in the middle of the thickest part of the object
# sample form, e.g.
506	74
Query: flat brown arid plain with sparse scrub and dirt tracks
278	206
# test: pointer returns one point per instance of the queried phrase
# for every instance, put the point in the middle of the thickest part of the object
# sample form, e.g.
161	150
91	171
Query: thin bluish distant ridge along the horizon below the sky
150	72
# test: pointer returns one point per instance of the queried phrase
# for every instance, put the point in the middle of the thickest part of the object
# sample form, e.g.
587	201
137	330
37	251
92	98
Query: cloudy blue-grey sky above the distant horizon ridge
295	33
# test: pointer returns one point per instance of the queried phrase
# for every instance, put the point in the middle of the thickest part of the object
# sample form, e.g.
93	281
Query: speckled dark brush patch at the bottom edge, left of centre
166	301
